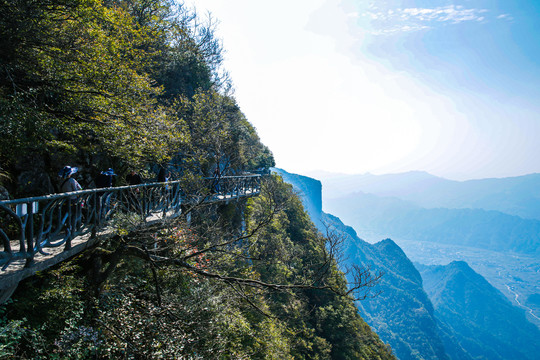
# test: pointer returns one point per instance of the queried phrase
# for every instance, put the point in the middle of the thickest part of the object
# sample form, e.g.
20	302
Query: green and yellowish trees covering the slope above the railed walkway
121	83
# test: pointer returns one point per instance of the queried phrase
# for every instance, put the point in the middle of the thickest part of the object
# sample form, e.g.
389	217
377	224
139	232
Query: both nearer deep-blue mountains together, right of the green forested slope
442	312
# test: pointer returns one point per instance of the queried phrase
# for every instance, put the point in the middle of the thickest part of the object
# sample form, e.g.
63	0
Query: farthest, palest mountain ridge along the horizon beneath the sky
518	196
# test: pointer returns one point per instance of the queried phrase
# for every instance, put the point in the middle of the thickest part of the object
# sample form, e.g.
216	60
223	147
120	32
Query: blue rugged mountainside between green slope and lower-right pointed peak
401	312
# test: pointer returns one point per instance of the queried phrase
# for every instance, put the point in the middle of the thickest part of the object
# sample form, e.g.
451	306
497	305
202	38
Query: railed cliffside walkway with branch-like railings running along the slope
39	232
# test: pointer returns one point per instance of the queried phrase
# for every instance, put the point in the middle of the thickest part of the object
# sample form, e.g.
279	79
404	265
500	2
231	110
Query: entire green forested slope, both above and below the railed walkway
137	84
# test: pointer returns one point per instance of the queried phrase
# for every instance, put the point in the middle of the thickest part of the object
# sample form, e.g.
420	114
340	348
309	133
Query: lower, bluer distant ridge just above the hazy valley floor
402	219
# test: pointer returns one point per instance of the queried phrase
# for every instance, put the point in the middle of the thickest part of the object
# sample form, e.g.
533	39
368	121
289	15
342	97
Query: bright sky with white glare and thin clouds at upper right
356	86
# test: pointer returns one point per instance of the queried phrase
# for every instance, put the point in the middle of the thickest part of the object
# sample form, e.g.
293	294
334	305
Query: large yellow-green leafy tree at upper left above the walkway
74	81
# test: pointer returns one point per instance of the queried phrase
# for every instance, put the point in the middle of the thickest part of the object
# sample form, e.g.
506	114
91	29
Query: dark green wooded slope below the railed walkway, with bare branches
270	292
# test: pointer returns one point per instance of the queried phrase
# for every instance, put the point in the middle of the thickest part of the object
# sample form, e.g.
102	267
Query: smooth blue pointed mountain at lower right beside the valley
484	321
